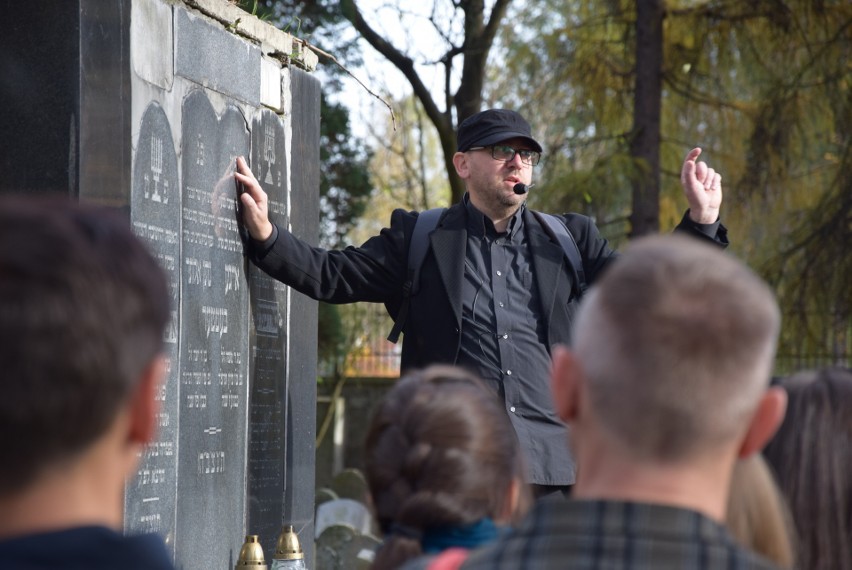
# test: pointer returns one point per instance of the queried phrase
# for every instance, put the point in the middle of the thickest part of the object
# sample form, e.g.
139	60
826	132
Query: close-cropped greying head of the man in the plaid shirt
674	347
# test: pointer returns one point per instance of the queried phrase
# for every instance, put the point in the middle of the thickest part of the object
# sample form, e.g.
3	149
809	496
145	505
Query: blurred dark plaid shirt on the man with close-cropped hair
611	535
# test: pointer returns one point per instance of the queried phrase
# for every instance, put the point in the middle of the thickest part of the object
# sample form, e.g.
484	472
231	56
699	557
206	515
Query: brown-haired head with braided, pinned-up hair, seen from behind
441	453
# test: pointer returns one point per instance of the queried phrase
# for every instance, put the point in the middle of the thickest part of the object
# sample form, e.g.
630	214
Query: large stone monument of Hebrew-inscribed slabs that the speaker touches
144	105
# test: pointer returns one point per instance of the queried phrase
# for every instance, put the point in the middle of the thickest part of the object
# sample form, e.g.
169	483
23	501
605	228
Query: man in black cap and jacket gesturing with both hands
496	289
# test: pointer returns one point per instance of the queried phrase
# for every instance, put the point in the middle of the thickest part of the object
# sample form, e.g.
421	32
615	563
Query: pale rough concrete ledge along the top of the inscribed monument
272	41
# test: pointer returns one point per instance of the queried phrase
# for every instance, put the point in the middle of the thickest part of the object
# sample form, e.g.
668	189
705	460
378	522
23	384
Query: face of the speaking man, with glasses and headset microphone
491	181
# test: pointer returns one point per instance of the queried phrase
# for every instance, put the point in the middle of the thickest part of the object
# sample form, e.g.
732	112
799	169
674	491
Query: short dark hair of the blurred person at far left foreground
83	307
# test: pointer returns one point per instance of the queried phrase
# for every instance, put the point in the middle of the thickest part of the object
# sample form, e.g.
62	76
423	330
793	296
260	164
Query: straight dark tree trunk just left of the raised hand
645	139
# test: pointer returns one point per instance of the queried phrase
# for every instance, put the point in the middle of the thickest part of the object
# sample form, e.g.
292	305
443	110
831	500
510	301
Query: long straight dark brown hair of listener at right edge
812	456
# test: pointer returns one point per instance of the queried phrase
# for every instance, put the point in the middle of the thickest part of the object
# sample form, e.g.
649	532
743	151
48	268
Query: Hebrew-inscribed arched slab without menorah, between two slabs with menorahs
214	341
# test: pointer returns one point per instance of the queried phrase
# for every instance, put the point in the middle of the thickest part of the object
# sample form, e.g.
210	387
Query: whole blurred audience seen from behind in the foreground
665	390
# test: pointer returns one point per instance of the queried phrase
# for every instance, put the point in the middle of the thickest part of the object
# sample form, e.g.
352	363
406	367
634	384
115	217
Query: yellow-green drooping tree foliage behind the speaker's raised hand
764	88
